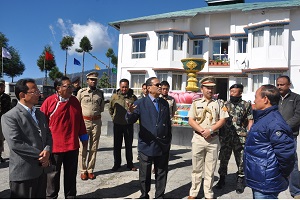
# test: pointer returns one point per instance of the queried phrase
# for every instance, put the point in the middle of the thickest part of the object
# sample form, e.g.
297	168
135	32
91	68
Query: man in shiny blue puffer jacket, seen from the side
269	149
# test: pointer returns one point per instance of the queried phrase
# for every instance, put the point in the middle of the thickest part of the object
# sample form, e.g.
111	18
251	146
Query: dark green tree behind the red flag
46	65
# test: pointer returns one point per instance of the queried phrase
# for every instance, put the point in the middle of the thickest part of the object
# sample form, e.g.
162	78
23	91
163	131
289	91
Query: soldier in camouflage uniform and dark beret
233	135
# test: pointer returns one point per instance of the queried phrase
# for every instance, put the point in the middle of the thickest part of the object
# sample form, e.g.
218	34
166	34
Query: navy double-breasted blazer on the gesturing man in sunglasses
155	127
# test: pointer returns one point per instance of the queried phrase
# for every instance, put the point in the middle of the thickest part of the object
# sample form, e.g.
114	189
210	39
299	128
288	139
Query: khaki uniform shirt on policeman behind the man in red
92	101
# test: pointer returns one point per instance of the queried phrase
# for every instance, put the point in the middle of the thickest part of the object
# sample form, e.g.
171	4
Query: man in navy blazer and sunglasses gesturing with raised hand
155	136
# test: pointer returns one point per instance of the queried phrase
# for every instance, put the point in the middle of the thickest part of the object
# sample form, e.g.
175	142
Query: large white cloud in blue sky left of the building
96	33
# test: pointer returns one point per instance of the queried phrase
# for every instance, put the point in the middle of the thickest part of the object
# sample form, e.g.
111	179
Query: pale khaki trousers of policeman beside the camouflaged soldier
204	160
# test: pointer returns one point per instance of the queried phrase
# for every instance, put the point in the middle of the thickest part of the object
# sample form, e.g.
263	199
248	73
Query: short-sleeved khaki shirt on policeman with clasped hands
207	113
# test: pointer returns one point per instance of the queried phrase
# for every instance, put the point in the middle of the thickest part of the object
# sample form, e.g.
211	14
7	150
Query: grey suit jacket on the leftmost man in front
26	140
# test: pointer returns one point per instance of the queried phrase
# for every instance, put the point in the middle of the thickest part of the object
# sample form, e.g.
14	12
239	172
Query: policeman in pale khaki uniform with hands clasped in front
206	117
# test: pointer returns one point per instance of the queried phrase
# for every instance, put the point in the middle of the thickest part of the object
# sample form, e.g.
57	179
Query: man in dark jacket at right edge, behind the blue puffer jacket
289	107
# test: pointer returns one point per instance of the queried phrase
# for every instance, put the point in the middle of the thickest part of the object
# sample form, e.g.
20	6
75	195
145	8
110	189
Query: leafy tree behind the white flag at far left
13	67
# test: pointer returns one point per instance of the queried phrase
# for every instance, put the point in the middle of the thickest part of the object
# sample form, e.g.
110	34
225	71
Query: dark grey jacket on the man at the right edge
289	108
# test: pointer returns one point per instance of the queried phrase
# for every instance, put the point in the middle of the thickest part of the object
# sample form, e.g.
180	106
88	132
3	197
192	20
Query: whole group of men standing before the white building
67	129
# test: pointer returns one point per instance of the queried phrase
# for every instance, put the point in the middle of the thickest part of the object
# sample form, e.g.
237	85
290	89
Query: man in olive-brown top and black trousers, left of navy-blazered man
117	109
